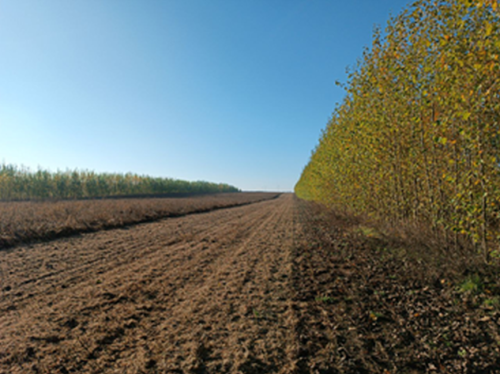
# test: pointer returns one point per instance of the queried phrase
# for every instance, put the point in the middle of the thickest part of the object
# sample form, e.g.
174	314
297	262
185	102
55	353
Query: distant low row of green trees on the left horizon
19	183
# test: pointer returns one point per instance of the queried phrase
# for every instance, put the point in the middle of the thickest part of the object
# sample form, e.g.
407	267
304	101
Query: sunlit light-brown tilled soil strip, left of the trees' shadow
205	293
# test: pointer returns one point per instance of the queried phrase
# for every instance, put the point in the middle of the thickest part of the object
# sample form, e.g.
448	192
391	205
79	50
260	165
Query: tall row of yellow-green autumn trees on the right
417	136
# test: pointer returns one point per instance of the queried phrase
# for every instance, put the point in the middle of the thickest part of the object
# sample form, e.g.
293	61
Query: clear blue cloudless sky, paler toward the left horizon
233	91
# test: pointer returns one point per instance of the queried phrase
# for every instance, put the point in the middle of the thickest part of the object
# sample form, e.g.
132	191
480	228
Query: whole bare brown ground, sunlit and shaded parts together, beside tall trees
278	286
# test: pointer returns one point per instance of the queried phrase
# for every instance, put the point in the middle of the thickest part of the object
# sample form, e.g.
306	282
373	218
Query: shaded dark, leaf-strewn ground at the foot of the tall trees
371	303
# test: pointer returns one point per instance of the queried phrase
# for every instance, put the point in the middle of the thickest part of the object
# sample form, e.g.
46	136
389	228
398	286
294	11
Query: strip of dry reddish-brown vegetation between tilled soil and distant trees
26	222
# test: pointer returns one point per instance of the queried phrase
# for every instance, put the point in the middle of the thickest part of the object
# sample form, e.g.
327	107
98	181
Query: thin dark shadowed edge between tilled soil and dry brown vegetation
8	243
